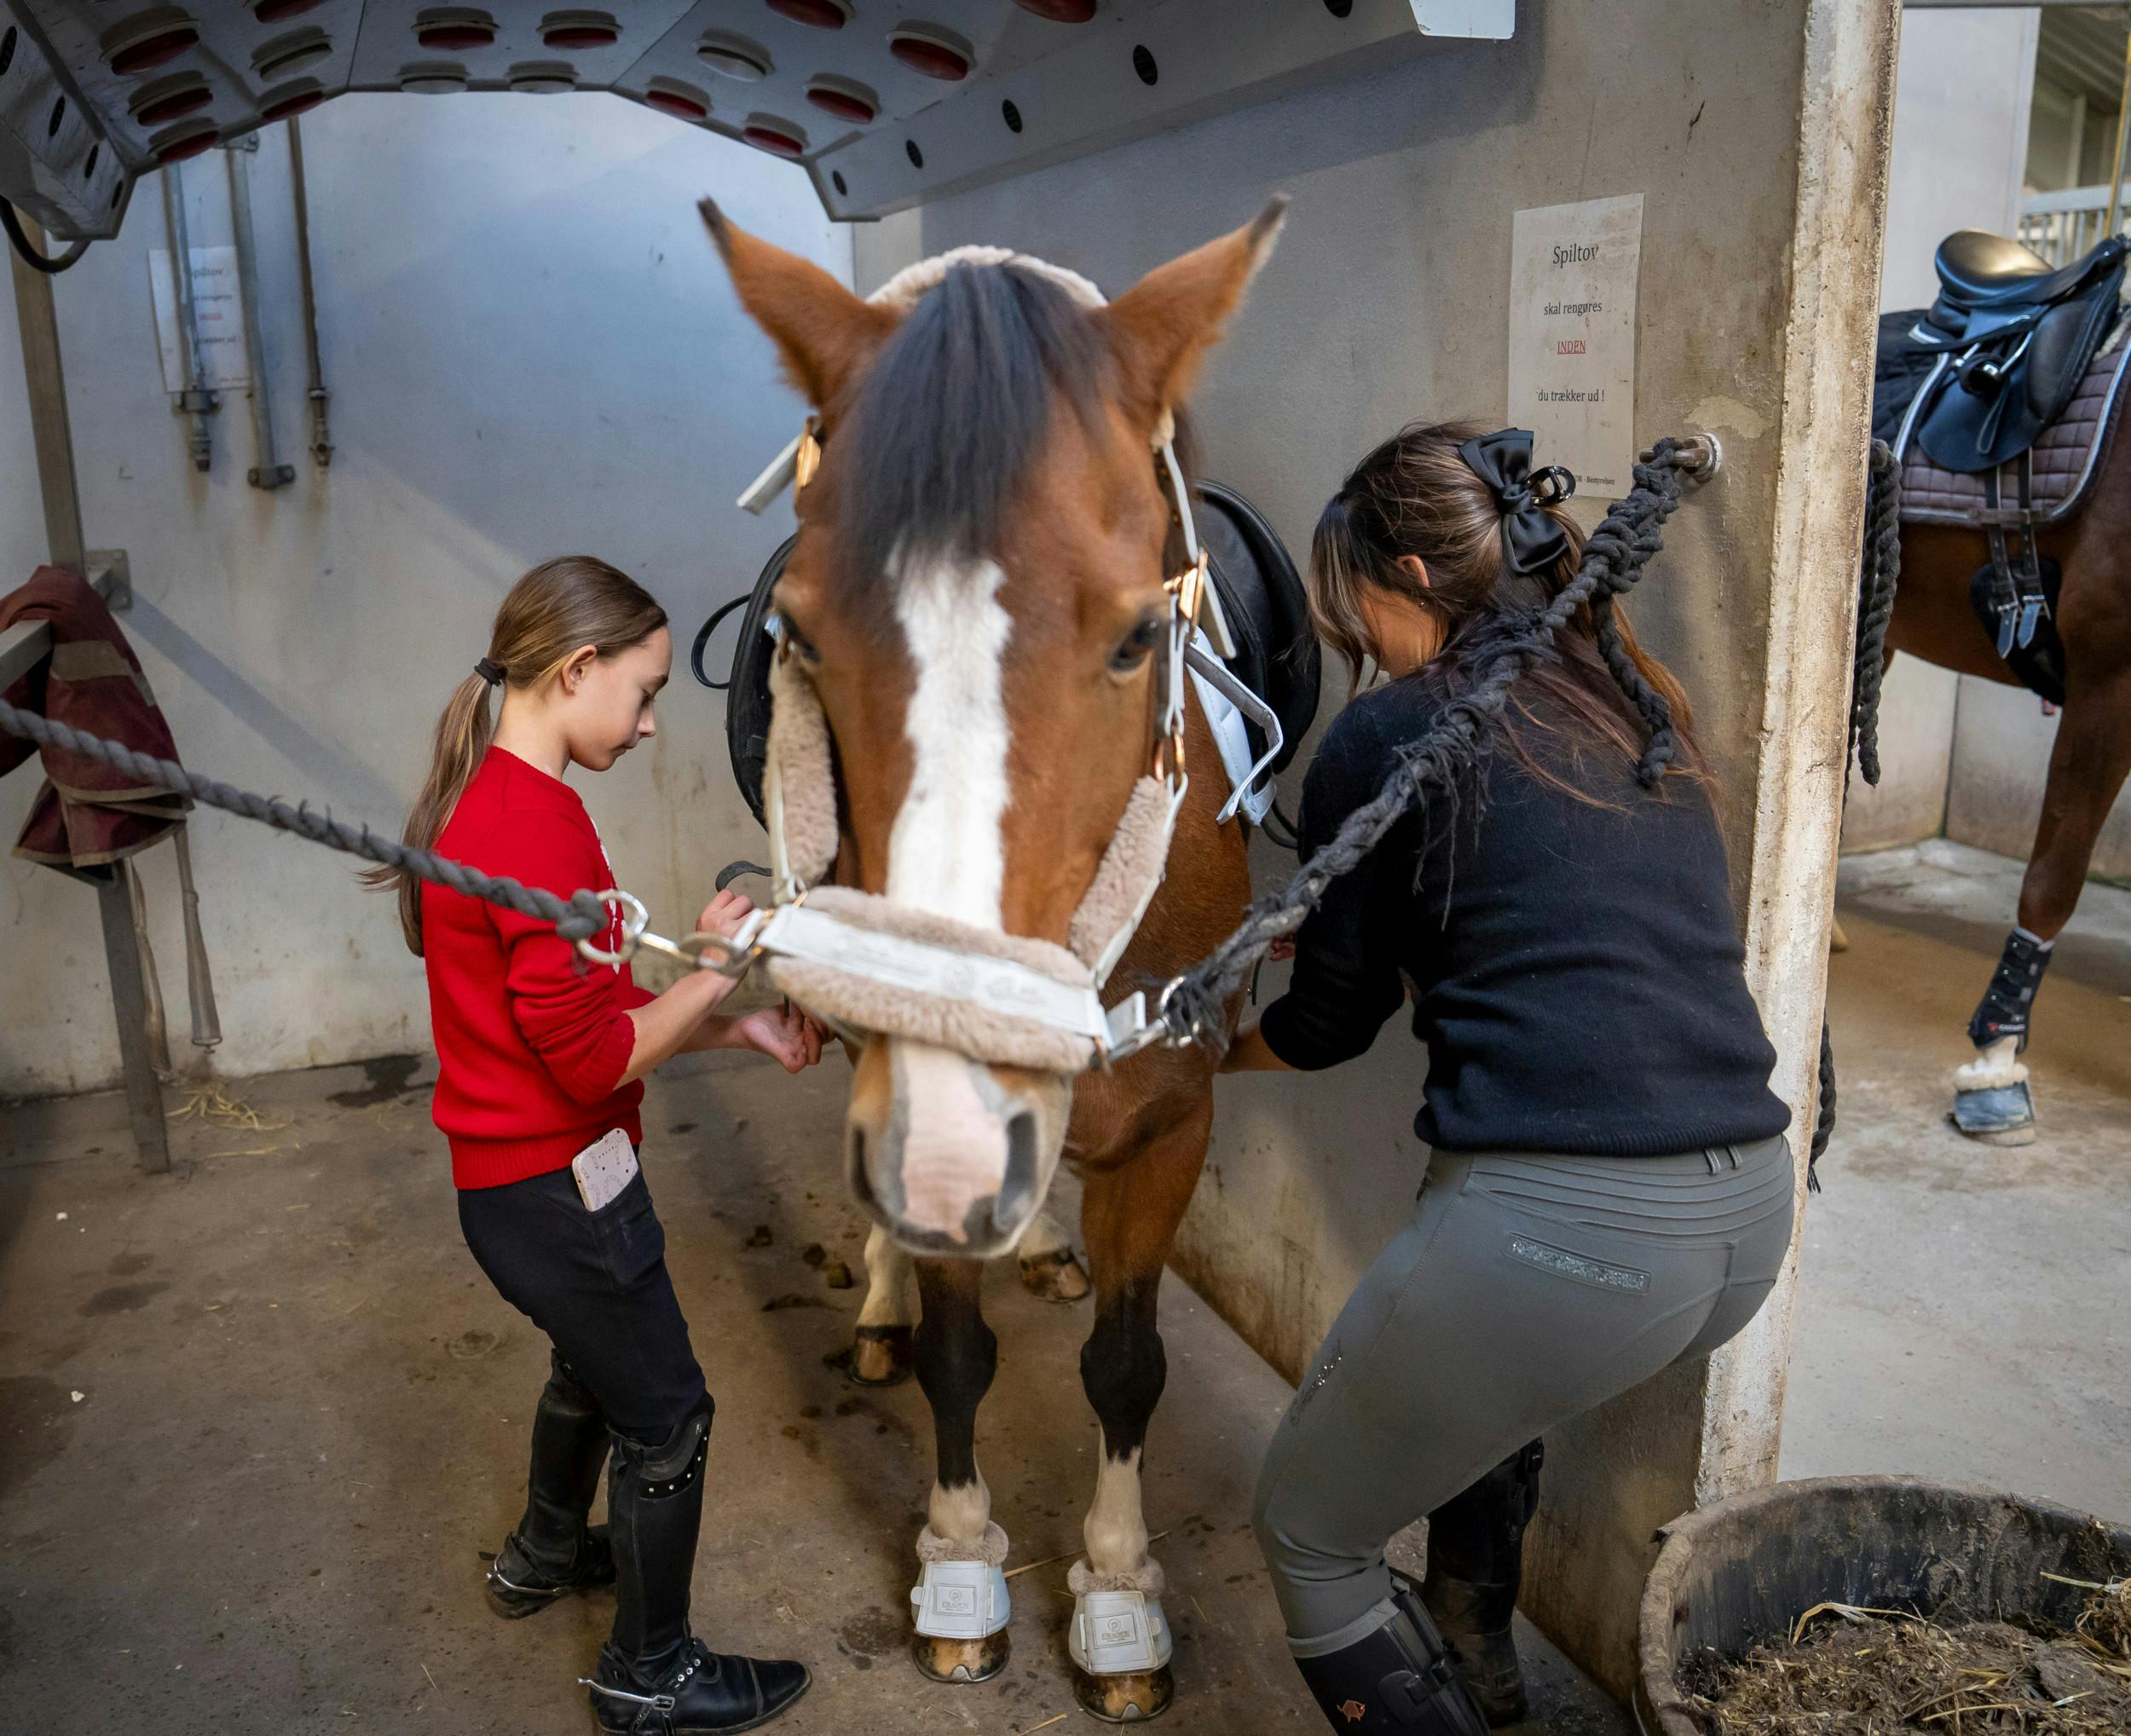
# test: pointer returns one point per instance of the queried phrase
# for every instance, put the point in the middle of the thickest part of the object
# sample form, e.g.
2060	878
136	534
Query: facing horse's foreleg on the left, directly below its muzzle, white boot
960	1601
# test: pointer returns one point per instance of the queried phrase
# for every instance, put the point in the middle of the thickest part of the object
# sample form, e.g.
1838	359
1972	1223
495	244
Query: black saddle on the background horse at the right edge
2013	342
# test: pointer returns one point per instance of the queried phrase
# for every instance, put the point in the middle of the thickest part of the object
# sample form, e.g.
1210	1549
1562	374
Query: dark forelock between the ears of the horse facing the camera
954	412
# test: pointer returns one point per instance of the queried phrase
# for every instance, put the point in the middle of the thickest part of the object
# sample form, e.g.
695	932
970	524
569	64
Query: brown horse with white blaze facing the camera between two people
979	597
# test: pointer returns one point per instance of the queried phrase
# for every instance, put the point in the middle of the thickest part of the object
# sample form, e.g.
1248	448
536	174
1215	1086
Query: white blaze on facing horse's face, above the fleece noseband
947	851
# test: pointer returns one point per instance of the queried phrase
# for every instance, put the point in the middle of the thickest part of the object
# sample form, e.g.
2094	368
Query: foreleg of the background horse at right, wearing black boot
2087	770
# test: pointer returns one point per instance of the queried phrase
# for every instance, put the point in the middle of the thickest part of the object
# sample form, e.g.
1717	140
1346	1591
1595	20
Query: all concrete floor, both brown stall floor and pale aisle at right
259	1420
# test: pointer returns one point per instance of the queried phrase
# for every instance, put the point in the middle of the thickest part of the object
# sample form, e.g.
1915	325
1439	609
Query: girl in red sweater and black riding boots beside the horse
540	1064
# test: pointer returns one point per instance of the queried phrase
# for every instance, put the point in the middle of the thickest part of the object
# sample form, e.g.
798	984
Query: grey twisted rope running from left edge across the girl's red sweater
579	917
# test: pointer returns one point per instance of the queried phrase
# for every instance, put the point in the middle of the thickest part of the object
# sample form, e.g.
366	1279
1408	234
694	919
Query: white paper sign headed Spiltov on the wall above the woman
1572	338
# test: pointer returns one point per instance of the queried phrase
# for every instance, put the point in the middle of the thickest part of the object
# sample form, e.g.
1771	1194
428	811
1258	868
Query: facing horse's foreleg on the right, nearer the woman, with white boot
1120	1635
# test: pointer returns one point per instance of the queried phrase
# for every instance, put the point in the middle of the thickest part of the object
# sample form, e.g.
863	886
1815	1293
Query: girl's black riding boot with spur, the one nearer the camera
653	1677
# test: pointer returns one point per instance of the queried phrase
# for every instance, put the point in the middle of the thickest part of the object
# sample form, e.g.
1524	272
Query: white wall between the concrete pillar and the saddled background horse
1962	118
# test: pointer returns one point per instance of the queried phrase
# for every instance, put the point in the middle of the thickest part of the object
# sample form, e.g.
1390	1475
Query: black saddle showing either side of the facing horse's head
1263	600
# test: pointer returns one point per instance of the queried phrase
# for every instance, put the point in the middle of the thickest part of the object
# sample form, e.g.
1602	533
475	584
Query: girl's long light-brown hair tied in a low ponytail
551	615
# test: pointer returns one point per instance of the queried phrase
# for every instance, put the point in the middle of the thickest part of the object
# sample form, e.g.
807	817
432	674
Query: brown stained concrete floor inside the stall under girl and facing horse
259	1420
